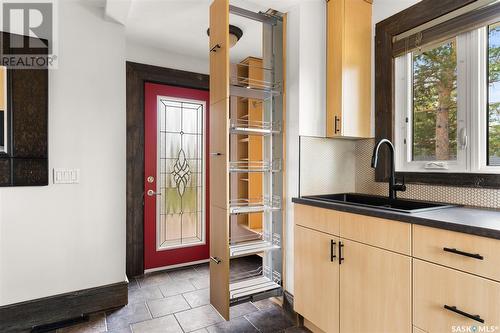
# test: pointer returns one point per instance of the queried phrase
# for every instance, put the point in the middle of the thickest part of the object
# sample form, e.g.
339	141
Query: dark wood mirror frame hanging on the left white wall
26	161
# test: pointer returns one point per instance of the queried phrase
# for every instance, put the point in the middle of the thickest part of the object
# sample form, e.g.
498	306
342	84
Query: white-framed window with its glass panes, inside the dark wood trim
448	104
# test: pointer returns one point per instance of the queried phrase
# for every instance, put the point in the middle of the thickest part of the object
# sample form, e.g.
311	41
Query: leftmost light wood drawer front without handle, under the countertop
325	220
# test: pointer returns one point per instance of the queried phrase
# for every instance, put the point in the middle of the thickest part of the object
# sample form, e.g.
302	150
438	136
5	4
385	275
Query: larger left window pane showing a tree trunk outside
435	103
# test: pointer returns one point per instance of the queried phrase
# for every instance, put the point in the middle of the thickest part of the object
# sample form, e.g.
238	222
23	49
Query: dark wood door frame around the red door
137	75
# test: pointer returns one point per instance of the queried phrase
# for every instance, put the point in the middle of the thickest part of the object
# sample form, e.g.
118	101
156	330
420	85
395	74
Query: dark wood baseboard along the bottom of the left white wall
20	317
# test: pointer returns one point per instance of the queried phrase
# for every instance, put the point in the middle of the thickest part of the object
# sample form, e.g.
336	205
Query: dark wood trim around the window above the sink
410	18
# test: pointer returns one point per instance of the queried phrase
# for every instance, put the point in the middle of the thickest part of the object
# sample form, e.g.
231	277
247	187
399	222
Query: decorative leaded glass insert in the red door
181	173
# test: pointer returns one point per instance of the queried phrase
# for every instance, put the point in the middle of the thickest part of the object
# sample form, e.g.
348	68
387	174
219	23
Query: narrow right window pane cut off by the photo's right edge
494	94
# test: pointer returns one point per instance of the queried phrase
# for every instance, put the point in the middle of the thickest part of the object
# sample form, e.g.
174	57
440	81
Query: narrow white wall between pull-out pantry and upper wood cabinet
305	101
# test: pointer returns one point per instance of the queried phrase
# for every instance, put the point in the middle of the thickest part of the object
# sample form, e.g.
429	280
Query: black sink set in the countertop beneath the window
379	202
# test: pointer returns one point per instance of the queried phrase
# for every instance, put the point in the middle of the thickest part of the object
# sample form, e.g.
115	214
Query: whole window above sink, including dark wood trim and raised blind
437	92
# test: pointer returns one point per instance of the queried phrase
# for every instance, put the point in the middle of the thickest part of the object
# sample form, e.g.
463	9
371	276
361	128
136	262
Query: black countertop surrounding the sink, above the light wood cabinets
474	221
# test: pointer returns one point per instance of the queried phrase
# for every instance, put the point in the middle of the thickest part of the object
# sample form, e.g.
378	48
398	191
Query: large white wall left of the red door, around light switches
62	238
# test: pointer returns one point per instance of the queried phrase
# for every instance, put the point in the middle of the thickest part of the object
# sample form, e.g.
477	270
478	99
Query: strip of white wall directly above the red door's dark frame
143	54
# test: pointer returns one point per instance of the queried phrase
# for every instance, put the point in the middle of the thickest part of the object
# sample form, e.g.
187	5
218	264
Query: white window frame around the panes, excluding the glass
471	110
